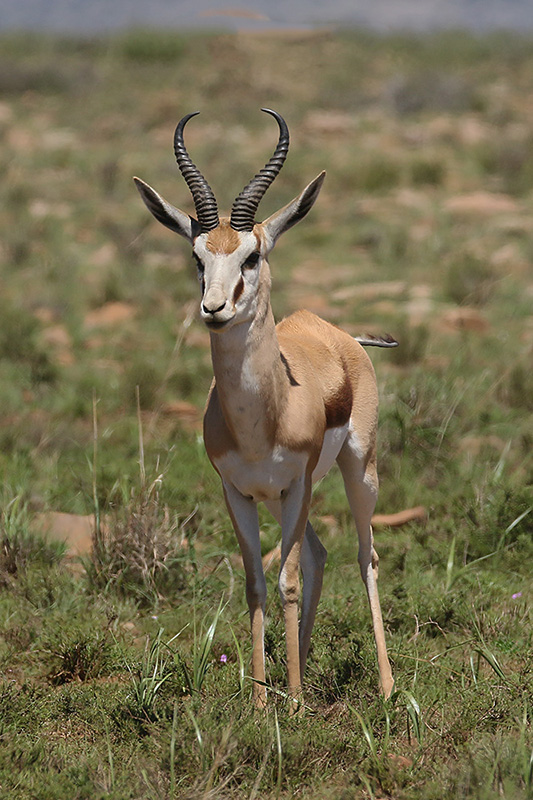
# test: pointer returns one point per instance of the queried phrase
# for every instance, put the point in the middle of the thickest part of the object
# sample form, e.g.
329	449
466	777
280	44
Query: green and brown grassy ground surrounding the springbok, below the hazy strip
128	675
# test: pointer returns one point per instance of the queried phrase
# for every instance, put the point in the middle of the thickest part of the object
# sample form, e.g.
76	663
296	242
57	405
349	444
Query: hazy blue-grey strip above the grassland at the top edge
99	16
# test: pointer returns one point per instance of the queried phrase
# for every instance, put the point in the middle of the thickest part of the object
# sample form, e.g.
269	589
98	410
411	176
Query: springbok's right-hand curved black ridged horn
245	205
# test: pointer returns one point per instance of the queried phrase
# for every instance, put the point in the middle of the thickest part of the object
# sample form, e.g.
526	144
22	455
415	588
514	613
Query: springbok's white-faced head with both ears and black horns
231	253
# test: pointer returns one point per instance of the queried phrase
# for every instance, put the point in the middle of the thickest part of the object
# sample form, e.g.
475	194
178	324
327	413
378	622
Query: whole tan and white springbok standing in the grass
287	401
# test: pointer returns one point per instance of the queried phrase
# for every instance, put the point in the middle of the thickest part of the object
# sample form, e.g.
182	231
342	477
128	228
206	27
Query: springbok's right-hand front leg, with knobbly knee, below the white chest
295	503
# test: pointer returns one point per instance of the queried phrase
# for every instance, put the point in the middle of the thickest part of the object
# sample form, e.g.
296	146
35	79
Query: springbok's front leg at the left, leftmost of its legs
243	513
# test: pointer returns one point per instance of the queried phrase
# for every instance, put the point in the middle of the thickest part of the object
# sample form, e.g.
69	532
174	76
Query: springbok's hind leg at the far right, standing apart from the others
361	484
